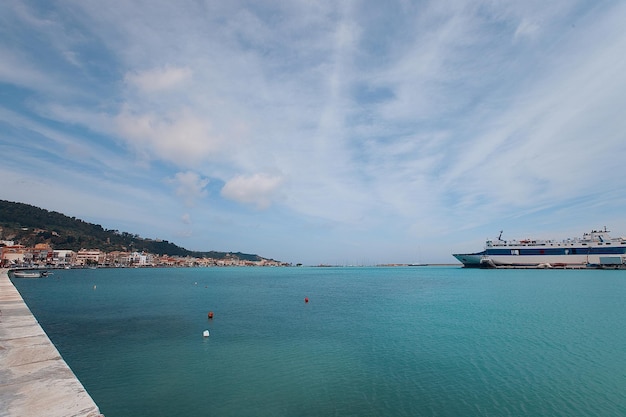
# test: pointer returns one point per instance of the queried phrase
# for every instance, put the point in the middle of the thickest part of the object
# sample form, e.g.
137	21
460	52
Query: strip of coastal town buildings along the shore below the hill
42	255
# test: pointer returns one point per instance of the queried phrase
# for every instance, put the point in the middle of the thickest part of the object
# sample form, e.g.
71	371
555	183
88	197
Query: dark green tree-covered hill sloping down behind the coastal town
29	225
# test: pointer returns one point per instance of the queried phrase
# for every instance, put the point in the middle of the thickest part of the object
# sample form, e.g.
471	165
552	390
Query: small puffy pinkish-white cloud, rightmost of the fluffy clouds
257	189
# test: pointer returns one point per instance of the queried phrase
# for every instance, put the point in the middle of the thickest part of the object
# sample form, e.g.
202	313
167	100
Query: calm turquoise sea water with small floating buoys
413	341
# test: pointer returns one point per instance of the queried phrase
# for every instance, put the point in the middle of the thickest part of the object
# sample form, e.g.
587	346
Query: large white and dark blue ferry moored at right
594	249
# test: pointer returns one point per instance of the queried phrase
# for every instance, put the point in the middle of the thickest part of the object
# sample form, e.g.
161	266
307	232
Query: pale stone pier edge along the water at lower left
34	379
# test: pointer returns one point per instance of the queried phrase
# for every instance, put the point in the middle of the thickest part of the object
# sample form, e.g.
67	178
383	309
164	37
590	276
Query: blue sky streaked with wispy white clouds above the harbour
354	132
